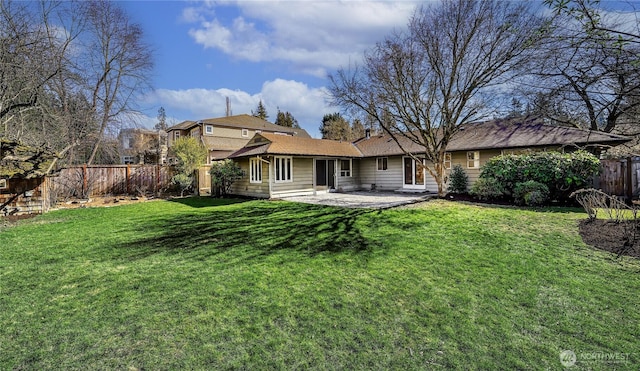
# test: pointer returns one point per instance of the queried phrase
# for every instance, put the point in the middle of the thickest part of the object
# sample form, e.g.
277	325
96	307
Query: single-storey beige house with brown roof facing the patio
276	165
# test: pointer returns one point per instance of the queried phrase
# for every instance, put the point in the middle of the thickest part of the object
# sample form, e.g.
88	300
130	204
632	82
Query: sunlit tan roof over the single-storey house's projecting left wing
275	144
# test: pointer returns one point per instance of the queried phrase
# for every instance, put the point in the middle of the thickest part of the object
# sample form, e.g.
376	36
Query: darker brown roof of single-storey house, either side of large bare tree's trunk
498	135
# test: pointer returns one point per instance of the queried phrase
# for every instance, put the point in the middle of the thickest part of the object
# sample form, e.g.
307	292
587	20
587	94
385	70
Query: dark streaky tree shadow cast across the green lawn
258	228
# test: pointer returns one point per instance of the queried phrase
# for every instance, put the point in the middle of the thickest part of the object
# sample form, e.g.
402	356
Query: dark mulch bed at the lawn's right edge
609	236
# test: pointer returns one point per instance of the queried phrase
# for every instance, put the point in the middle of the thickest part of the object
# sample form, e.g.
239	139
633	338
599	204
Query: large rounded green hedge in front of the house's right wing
562	173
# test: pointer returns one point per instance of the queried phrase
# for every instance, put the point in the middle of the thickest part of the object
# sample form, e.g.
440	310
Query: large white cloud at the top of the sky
313	36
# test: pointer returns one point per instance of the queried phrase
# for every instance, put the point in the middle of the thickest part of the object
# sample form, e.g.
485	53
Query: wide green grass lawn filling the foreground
210	284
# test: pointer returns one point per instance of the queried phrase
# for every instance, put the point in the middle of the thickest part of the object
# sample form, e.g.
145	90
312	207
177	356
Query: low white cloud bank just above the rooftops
308	105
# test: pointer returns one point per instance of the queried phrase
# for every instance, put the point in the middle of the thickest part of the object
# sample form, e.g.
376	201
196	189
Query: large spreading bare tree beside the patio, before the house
426	82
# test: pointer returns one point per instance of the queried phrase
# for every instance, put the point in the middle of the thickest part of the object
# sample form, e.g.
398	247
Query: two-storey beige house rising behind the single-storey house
224	135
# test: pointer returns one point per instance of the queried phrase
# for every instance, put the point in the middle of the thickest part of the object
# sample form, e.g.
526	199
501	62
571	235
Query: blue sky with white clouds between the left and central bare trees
277	52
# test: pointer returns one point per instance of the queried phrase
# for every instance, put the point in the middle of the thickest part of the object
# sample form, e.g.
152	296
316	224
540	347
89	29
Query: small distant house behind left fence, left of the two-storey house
142	146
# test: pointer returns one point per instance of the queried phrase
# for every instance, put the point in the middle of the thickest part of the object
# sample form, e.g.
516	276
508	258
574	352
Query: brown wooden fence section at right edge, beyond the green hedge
620	177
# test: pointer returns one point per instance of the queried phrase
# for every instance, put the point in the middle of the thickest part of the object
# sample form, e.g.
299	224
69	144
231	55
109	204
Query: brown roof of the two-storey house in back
242	122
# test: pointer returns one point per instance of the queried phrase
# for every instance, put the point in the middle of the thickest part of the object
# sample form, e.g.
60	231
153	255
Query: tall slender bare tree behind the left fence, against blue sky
119	65
